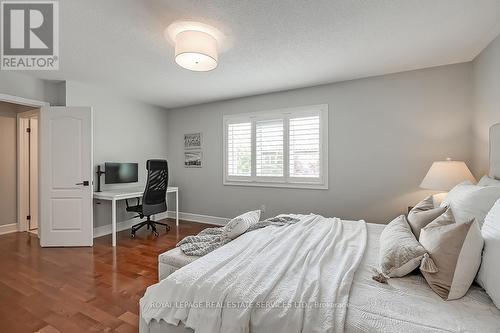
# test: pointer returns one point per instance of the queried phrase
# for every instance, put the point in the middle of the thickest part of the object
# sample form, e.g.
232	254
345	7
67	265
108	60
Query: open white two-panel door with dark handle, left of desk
66	176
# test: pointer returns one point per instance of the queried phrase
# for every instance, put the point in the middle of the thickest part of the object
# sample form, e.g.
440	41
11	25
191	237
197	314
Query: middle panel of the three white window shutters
269	148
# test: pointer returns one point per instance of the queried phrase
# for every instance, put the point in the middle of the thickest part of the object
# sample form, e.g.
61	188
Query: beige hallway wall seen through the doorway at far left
8	164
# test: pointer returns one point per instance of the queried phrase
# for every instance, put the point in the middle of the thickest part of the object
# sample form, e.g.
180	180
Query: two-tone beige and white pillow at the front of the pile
455	249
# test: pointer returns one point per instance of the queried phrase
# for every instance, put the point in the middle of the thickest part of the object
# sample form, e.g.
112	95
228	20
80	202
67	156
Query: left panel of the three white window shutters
239	149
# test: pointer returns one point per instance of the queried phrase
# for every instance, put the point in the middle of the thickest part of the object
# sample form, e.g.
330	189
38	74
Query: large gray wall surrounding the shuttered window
384	133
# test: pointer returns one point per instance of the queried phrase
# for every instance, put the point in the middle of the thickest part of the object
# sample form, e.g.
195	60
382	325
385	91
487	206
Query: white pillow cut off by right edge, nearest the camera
489	272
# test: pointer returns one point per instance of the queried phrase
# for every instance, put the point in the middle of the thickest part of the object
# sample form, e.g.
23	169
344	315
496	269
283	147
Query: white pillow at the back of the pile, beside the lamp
469	201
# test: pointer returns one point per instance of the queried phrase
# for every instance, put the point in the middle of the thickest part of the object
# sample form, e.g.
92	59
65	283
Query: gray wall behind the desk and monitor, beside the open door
124	131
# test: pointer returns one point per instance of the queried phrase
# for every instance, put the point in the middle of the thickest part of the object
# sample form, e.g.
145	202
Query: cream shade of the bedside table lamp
444	175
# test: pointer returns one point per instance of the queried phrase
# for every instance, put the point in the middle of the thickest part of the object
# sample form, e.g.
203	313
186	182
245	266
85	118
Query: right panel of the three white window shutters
305	147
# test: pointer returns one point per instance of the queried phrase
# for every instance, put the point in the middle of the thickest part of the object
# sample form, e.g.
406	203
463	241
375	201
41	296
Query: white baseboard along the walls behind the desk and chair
125	225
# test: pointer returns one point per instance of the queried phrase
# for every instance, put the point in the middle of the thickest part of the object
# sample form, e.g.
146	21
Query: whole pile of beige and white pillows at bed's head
447	241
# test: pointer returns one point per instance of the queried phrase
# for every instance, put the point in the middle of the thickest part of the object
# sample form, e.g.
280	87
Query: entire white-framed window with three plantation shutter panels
282	148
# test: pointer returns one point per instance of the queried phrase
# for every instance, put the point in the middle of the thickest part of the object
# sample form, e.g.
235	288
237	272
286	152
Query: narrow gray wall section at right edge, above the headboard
486	69
